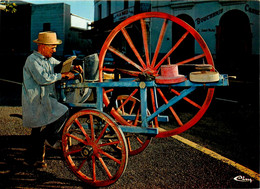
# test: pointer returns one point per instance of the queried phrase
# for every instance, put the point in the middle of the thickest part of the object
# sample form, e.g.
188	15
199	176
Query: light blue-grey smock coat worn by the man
39	102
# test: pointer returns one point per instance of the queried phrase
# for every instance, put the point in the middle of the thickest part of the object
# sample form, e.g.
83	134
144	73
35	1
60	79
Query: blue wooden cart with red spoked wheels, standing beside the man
149	94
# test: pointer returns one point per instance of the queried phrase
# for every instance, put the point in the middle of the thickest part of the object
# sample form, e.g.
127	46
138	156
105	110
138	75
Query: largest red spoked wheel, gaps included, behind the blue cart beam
141	45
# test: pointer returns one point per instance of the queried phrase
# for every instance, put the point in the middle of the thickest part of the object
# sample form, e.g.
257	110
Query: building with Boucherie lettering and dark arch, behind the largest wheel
230	28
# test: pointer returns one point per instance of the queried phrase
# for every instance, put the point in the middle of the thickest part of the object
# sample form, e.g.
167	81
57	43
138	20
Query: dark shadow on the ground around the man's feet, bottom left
14	173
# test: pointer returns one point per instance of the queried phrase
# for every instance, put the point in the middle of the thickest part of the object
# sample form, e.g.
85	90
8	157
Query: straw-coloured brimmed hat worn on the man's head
47	38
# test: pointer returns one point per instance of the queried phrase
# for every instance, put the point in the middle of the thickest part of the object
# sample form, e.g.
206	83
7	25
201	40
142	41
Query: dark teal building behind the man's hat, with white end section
22	27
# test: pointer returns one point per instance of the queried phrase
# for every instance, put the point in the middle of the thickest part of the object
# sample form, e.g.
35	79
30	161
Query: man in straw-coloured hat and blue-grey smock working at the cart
41	110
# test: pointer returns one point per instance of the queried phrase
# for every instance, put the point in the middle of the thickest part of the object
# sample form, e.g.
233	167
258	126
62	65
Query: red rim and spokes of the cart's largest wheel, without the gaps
152	68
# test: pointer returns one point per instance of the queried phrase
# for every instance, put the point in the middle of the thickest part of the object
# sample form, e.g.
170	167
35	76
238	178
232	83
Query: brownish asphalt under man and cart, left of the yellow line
166	163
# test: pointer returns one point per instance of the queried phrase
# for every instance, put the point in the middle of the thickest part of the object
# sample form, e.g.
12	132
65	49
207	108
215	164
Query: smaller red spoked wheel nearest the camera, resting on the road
94	147
